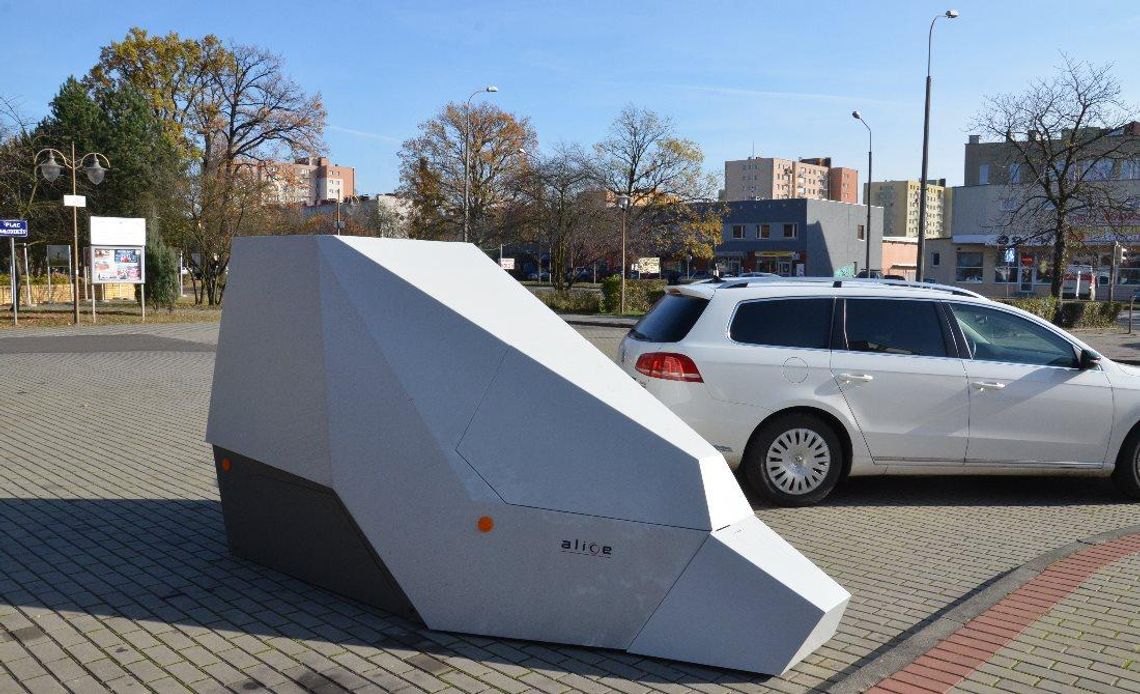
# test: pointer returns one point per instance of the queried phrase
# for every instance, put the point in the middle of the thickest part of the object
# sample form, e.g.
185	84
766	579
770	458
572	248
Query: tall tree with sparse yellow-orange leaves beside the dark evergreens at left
230	109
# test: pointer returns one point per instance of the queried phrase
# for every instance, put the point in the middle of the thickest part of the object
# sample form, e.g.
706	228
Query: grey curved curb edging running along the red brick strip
913	644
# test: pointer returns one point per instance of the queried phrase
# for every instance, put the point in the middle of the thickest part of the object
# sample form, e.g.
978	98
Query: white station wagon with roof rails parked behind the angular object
803	382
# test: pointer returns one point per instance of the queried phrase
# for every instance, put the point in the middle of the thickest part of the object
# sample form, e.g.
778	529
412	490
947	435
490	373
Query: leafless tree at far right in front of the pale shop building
1063	141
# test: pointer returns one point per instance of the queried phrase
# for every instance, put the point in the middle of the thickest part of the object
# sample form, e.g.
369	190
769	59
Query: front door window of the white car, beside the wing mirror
995	336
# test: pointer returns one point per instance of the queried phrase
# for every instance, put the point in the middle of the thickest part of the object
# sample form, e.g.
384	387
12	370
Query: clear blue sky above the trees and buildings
764	77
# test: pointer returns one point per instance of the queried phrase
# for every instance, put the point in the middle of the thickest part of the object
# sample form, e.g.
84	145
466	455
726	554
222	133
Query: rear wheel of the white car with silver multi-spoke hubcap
794	461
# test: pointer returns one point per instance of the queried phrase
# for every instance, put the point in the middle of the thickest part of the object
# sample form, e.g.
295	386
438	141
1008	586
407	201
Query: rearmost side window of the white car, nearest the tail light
797	323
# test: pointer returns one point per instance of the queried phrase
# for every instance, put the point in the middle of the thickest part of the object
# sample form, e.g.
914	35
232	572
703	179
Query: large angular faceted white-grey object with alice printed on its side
403	423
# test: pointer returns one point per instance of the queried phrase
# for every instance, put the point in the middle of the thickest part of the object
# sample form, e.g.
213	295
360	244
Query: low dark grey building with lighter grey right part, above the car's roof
799	238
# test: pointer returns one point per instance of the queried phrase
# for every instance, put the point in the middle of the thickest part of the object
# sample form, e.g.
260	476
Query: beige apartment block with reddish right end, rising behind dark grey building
773	178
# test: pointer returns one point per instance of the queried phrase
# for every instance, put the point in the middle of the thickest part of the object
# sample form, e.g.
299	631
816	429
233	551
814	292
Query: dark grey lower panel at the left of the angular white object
303	529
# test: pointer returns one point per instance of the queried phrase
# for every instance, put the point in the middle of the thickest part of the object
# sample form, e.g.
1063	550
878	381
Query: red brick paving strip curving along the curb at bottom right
956	658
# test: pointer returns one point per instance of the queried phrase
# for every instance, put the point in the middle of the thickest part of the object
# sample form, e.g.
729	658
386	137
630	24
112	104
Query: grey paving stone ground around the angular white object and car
115	574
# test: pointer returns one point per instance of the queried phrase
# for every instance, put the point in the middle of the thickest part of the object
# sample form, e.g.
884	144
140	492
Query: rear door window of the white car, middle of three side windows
894	326
